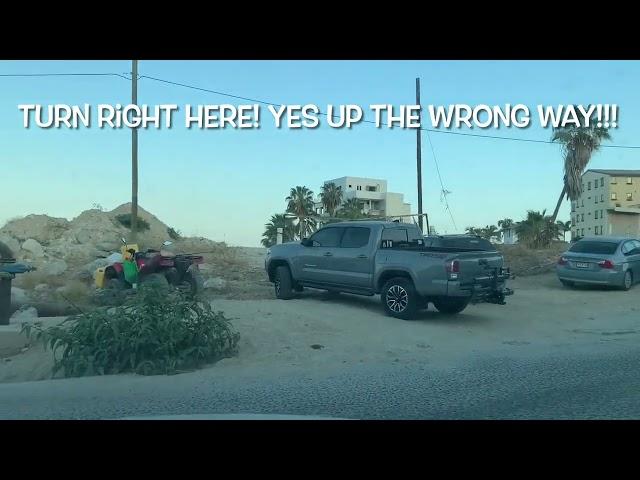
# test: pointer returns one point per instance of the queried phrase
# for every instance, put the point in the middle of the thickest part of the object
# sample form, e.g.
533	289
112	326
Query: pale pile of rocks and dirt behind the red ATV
66	253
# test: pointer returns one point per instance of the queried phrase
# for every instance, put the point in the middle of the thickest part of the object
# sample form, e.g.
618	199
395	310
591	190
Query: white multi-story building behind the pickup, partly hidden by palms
372	195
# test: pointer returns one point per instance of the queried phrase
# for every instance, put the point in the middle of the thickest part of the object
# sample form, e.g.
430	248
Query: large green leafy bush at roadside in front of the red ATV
152	333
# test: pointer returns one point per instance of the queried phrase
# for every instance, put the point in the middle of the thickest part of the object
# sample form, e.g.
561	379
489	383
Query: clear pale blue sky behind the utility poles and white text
225	184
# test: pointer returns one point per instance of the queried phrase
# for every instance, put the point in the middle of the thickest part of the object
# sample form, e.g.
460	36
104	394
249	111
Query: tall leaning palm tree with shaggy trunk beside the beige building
578	145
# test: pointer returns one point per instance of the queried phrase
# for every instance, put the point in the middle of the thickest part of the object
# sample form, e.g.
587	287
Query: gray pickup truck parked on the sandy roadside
390	259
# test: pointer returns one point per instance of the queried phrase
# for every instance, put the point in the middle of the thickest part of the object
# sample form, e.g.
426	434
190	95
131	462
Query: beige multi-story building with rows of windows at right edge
609	204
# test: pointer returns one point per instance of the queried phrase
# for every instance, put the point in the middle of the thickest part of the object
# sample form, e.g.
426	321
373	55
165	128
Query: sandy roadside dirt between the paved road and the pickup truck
317	331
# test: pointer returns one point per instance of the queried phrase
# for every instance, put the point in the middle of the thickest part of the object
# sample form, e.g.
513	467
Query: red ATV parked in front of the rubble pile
161	267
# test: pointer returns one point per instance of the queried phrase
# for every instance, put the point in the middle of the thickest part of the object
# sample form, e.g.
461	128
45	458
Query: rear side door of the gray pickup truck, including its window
352	263
